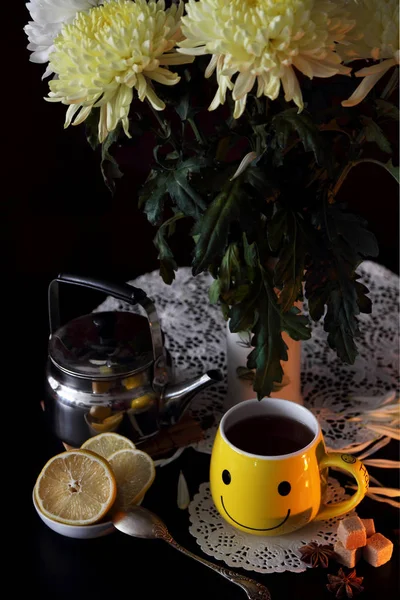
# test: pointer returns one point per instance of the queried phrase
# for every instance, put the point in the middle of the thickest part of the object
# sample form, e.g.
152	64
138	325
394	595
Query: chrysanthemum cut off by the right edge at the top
376	36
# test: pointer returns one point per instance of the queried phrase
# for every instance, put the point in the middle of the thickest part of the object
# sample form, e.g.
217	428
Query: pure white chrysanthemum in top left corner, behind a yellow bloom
48	18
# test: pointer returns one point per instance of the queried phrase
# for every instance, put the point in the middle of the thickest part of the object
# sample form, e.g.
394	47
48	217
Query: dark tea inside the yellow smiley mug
269	435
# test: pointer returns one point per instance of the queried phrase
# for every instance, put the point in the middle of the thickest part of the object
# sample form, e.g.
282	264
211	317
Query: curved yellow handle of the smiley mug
357	469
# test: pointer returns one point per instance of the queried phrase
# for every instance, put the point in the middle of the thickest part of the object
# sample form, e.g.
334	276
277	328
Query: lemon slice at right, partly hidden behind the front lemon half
134	472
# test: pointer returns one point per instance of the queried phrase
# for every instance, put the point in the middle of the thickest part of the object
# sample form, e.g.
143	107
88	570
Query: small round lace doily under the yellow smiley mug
257	553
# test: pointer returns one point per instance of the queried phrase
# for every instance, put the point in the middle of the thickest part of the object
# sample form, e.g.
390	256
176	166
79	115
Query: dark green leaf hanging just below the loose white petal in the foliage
214	226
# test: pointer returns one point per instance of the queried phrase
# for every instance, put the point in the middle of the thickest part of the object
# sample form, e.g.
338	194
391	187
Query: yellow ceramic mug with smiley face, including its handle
269	468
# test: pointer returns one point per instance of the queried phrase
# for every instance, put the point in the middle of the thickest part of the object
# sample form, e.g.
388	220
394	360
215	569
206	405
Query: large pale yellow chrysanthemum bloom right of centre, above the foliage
262	41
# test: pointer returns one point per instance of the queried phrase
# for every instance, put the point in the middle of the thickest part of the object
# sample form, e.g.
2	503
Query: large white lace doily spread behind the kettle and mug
195	334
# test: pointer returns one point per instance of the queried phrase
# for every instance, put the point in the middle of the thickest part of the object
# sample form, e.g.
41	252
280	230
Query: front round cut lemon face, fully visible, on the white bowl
77	487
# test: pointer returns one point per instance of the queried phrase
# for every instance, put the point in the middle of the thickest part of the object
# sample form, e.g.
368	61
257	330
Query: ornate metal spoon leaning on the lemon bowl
142	523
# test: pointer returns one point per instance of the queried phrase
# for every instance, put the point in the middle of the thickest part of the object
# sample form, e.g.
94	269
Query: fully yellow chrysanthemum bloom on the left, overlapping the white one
110	50
